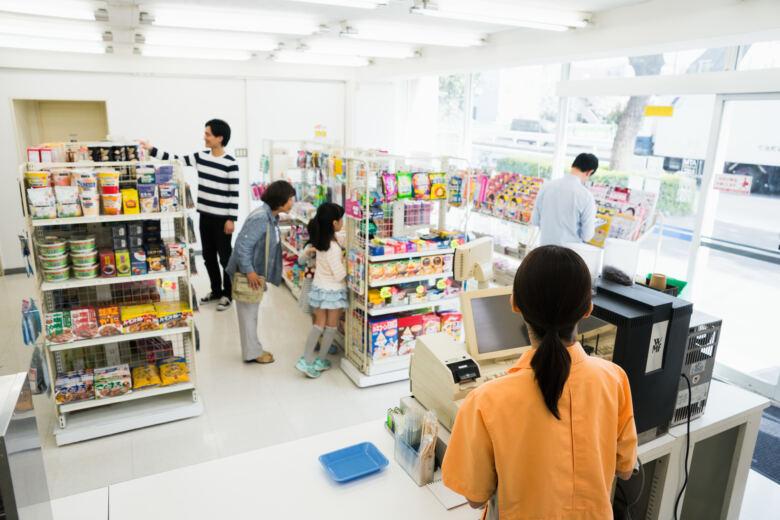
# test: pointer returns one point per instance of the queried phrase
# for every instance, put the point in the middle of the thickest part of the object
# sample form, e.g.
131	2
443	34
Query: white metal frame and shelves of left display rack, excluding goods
87	419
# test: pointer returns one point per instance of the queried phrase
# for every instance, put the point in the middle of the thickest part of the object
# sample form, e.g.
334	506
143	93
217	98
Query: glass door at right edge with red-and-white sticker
737	266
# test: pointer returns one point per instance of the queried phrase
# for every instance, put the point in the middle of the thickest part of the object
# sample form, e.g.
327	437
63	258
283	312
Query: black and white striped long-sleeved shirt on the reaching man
217	181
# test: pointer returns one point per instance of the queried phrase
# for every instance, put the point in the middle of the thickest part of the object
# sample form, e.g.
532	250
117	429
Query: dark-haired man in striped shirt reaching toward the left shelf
217	205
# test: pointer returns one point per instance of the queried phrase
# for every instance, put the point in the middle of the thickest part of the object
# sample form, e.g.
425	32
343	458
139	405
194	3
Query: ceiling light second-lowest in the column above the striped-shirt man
209	39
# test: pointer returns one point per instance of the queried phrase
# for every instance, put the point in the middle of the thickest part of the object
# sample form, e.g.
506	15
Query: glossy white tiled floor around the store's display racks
246	406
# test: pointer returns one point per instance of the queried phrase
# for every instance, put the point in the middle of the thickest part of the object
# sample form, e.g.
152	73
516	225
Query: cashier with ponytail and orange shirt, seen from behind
545	441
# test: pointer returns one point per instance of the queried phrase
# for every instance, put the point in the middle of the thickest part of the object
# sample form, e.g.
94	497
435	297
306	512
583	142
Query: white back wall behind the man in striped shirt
169	112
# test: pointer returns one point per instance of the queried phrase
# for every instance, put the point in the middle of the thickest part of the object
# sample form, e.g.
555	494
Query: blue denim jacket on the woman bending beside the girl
249	251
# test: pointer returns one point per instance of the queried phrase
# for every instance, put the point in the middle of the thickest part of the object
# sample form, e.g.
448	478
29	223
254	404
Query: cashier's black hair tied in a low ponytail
552	289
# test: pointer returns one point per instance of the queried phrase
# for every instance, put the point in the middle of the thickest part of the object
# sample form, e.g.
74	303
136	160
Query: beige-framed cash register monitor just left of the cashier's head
492	329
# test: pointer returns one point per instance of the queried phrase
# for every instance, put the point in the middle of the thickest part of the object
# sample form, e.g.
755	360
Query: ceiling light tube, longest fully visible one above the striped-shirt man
233	20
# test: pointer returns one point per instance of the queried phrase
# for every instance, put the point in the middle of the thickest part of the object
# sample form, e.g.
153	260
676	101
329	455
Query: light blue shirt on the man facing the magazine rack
565	211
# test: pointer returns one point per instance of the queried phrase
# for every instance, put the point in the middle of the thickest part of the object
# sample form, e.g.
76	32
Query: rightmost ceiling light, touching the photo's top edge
501	13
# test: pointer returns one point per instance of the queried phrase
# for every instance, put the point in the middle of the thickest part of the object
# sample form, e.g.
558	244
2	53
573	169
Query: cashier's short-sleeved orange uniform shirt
506	441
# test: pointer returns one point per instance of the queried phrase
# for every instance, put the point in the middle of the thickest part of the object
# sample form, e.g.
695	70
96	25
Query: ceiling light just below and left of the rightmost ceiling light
406	33
